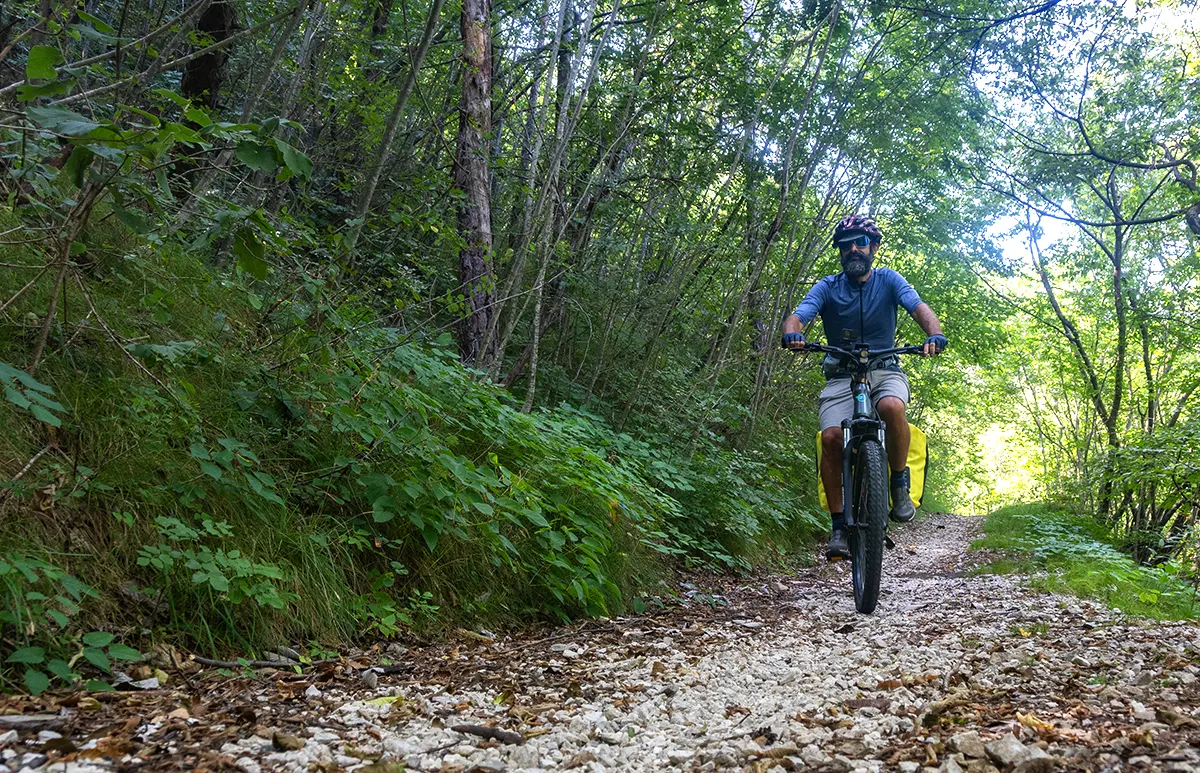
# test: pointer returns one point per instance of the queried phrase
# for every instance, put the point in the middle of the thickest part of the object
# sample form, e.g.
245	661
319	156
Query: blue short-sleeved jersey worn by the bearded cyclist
854	313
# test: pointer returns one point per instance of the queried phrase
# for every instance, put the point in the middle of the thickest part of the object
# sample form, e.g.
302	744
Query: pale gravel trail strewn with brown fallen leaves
956	672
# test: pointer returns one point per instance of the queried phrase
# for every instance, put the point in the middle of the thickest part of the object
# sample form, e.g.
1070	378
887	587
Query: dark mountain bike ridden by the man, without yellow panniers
865	472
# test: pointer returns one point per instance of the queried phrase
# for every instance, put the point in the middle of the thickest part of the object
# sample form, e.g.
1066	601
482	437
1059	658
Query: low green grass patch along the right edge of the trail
1075	555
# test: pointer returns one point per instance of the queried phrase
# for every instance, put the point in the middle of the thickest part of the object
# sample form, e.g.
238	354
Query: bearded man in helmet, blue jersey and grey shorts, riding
860	307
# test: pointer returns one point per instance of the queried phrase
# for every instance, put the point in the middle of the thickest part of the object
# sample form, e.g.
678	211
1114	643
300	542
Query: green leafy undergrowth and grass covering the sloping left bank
233	471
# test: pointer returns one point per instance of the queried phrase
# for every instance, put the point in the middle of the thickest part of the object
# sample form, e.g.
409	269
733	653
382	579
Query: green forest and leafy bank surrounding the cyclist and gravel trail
325	321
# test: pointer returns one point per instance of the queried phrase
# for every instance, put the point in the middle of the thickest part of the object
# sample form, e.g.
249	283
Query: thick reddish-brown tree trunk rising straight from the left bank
471	176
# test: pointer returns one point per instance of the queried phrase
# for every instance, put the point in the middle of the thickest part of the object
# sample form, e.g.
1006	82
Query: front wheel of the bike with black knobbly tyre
872	523
